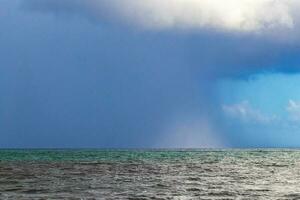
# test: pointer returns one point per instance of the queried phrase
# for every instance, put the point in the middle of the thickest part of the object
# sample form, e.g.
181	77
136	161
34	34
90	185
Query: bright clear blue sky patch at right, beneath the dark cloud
265	107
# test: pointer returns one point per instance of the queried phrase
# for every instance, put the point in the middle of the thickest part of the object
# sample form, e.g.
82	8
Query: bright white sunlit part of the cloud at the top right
238	15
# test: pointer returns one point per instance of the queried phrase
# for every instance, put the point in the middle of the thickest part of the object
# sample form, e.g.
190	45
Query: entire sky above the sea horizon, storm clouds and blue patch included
149	74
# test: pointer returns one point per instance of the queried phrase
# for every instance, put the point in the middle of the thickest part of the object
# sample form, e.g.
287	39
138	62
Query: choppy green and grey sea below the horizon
150	174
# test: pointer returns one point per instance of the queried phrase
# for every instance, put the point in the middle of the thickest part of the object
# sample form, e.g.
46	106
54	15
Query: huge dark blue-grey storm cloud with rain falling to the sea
101	84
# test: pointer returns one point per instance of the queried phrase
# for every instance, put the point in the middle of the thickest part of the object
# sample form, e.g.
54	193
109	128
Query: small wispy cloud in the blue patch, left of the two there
245	112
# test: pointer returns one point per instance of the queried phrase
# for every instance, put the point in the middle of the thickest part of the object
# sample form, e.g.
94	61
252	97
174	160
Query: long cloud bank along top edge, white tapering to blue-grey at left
232	15
